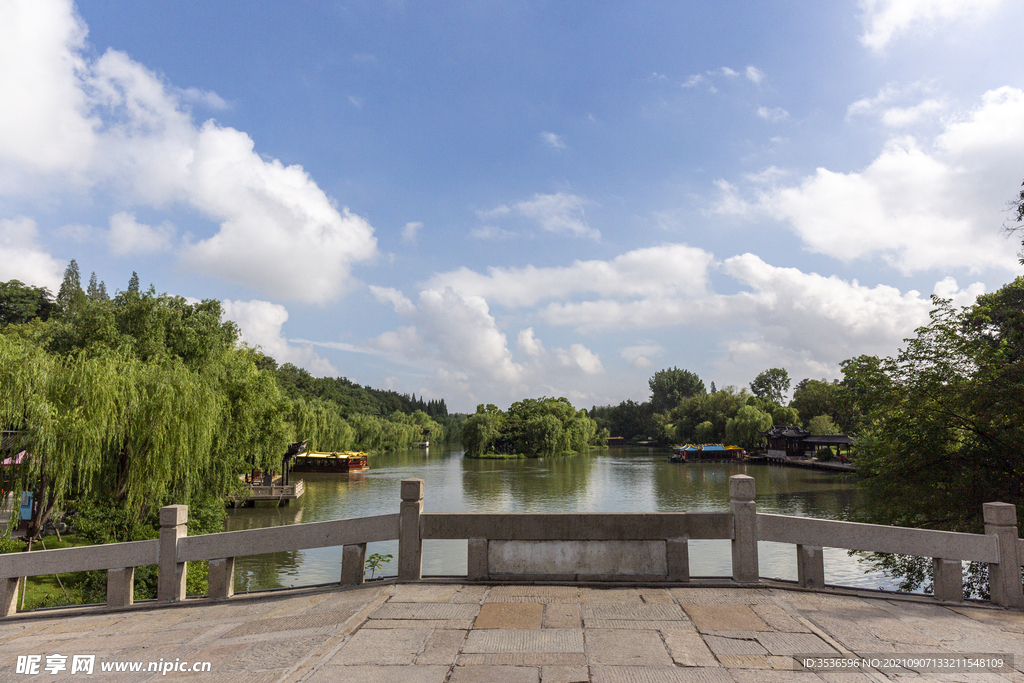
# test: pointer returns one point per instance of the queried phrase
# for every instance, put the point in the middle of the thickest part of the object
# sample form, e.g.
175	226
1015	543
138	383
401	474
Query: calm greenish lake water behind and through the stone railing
614	481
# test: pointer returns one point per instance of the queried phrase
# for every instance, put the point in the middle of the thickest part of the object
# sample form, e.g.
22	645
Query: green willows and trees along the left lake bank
126	403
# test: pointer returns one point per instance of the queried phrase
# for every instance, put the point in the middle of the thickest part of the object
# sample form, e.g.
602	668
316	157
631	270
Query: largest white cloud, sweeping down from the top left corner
77	122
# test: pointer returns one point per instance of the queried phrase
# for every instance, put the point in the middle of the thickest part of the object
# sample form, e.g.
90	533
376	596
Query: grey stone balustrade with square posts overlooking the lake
563	547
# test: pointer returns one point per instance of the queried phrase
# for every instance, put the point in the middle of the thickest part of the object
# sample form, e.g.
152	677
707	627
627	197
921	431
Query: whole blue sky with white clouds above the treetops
489	201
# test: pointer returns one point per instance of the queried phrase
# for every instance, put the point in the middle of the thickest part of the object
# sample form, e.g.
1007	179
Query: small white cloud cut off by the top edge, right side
886	20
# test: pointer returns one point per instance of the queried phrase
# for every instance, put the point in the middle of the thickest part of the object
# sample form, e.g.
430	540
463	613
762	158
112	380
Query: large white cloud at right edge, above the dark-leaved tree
920	205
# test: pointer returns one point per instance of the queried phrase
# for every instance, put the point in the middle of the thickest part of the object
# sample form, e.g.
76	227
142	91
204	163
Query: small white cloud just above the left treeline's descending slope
262	324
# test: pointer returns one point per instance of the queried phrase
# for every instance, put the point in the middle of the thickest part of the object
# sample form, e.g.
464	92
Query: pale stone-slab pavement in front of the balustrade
452	633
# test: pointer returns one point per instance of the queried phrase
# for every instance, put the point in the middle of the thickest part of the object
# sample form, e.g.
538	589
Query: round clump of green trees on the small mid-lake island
535	428
